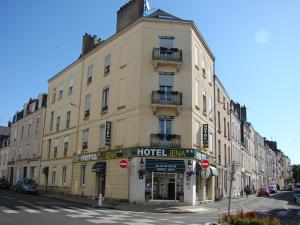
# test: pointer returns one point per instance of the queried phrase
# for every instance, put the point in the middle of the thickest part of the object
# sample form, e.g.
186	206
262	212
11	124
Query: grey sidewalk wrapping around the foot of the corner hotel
145	207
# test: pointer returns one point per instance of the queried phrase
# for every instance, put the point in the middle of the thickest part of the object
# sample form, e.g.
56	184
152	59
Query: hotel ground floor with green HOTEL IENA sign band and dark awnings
146	175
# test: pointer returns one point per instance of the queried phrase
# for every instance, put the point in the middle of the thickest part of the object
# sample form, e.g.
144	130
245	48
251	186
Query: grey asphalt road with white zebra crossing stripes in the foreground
24	209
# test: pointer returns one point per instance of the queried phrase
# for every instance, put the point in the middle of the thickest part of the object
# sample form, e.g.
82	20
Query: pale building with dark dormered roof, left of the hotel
26	140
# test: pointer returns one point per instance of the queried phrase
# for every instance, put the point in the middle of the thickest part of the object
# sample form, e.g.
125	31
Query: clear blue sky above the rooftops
256	44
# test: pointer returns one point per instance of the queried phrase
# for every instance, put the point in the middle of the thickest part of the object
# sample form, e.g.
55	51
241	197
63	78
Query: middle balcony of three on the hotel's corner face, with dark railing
163	99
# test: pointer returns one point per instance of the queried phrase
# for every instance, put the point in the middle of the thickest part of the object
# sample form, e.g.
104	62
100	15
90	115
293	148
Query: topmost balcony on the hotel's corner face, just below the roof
164	56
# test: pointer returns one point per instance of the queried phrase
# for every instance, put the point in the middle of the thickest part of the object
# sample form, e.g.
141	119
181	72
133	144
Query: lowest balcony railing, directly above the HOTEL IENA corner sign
165	140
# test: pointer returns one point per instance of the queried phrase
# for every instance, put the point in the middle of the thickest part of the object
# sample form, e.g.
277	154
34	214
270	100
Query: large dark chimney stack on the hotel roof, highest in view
129	13
